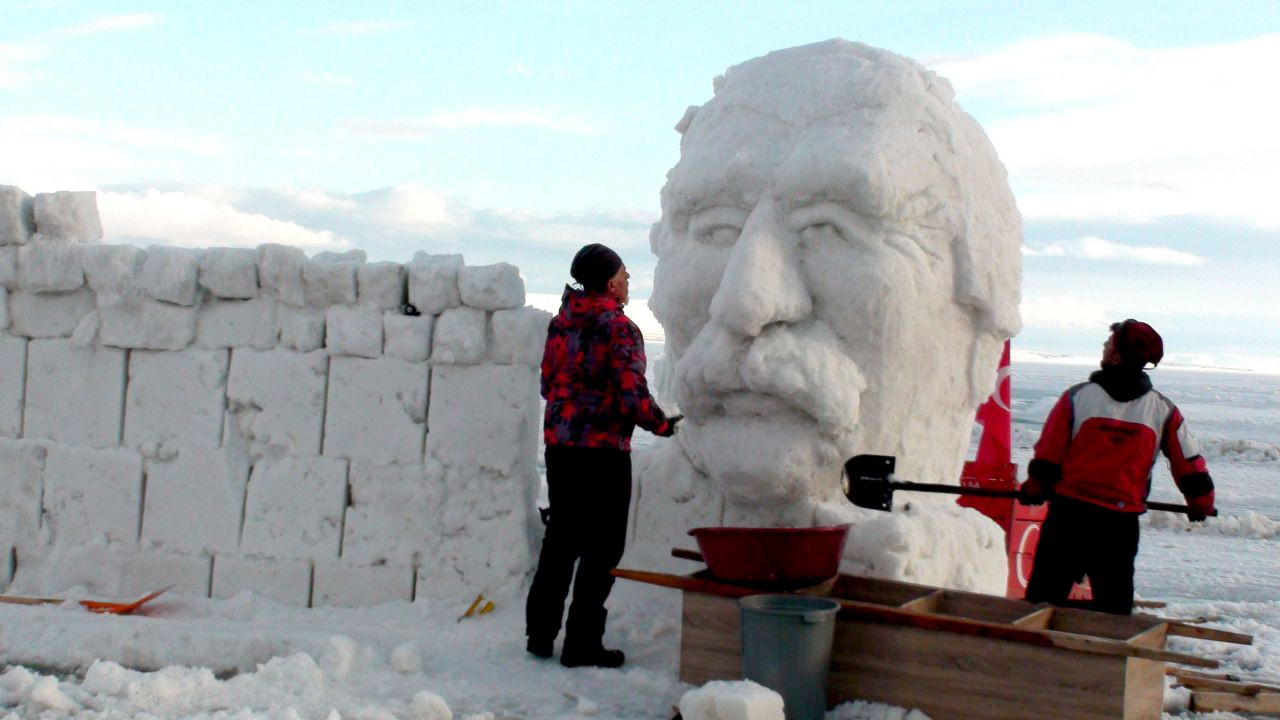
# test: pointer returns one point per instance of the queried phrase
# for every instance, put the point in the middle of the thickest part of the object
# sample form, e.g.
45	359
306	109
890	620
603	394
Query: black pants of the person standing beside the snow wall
591	491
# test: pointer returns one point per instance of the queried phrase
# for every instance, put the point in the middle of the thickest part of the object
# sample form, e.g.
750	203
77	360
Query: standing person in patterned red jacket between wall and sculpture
596	391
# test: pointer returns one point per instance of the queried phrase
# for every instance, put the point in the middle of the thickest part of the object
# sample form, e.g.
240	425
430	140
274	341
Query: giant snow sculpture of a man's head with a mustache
838	267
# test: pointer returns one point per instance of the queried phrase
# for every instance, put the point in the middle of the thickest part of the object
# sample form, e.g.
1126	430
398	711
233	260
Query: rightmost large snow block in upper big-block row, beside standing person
484	417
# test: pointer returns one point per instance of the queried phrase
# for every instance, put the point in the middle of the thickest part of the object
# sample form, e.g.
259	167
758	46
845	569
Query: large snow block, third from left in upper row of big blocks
175	400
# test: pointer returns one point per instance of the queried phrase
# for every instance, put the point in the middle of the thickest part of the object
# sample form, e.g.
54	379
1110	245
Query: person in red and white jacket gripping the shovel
1095	458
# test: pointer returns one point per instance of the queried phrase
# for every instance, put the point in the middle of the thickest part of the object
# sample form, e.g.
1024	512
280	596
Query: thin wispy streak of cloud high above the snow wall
418	129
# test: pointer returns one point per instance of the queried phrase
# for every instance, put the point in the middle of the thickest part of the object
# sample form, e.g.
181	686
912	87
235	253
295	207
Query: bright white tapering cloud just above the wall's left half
191	221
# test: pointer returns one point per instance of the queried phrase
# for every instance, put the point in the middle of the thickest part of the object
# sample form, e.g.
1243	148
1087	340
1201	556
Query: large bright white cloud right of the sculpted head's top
1092	127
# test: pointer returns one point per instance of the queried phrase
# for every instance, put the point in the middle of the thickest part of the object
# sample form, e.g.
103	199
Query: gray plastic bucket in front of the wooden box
787	648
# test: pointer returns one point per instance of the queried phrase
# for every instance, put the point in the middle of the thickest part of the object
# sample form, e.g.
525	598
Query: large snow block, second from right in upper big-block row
377	411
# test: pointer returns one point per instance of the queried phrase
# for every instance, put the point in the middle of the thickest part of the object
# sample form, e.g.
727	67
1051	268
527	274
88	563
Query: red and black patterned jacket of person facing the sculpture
593	376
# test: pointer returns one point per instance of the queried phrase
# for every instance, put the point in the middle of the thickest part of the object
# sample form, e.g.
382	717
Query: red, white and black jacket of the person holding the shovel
1100	444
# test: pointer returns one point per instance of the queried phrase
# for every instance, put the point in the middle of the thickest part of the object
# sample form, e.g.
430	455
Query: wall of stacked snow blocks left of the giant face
321	431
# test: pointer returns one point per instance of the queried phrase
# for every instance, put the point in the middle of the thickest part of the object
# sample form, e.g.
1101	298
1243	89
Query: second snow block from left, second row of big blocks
93	495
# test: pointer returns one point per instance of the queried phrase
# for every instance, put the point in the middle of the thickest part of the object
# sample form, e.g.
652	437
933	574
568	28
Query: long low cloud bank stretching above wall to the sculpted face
390	224
